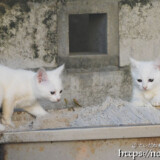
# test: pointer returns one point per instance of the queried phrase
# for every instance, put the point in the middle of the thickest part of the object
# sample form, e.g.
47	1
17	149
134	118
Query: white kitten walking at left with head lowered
21	88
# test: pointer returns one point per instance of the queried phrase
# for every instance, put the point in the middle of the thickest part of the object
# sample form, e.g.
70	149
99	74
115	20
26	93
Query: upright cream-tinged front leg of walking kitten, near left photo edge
7	111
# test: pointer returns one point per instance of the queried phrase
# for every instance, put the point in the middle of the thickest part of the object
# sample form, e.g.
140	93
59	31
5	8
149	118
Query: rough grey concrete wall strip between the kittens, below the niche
91	88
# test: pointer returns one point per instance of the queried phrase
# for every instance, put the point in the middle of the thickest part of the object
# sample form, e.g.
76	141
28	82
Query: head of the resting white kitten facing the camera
145	75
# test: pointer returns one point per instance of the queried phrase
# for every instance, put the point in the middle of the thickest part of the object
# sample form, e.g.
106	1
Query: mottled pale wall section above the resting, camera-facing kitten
139	30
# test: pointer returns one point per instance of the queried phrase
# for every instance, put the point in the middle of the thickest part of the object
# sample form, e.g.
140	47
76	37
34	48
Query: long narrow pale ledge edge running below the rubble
75	134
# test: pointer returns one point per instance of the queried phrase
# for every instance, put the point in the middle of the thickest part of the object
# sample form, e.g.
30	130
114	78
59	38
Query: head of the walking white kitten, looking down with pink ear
49	84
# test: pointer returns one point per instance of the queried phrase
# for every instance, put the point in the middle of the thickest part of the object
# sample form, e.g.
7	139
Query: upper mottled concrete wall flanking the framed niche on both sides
29	31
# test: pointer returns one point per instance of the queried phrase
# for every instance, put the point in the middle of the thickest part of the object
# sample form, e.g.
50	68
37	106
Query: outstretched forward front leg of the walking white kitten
36	110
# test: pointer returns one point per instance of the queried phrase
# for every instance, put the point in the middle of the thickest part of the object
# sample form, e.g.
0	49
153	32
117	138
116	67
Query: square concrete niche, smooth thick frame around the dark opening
88	34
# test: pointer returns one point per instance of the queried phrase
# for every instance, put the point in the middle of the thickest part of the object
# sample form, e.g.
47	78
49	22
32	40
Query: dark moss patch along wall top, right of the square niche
133	3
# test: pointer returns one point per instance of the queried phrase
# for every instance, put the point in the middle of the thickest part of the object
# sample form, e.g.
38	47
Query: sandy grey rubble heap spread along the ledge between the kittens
112	112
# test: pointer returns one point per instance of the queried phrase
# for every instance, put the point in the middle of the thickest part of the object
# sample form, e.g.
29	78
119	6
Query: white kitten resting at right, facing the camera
146	83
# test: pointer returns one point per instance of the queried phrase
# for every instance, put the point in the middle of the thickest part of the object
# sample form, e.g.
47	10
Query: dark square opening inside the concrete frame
87	34
